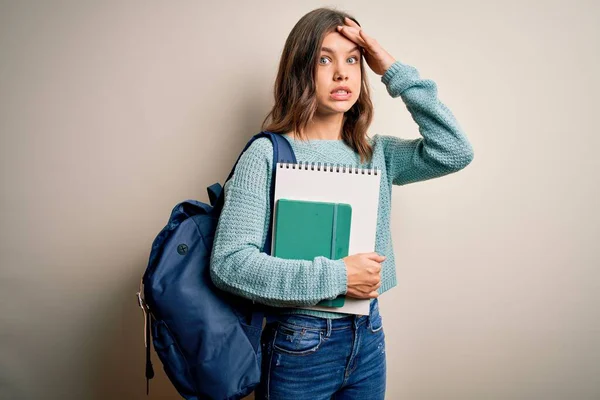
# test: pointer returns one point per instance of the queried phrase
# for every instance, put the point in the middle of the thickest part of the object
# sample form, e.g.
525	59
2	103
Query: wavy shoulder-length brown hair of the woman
295	88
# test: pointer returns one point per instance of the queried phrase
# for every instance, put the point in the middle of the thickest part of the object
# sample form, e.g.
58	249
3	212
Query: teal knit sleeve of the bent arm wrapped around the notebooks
238	263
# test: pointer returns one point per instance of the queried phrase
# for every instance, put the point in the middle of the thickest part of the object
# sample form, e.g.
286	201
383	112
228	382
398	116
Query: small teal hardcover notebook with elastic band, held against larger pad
307	229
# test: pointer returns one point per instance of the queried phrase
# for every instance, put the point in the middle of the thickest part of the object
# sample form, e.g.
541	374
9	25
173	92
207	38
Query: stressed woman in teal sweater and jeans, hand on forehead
323	107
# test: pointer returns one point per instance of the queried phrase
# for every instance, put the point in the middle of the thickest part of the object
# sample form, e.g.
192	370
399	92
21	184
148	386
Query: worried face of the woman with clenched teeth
338	64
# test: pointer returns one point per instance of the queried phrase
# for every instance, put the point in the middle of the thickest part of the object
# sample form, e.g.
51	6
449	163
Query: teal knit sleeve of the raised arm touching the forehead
443	147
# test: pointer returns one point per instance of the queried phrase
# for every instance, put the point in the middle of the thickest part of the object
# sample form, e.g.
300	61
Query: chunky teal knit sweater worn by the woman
238	264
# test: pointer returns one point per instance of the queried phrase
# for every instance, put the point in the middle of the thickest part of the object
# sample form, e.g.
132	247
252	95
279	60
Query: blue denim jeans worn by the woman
306	357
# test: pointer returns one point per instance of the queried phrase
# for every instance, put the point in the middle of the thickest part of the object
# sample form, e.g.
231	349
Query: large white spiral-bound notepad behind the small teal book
357	187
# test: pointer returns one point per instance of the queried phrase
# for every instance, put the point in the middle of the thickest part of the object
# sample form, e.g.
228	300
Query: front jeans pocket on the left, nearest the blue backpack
296	340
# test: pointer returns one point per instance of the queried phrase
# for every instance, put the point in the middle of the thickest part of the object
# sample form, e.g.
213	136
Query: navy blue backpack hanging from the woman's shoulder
208	340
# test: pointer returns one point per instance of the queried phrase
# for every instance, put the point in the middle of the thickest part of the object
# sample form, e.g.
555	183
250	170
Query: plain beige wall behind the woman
112	112
